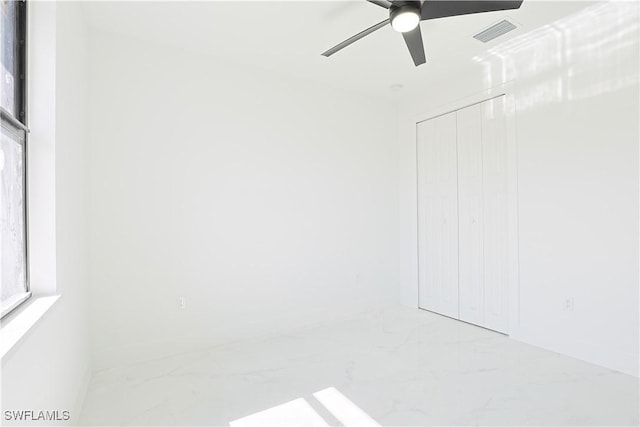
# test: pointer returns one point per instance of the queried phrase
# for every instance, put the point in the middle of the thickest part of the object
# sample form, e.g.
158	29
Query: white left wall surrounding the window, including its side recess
49	368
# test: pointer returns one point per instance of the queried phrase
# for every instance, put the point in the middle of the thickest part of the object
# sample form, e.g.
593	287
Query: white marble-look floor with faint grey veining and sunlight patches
394	367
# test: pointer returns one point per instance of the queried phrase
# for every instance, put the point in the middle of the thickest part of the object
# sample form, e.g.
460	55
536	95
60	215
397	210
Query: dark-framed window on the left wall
13	157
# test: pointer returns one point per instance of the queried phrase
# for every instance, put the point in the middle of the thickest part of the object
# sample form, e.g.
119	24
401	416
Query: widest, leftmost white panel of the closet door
438	215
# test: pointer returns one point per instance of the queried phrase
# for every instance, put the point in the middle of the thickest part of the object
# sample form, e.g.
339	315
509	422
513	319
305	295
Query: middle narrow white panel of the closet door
471	212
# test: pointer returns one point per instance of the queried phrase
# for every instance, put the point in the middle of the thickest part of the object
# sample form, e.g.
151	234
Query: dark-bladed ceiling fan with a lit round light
405	17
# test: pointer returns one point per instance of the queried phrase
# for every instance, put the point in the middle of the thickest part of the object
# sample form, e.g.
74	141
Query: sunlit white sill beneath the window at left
18	324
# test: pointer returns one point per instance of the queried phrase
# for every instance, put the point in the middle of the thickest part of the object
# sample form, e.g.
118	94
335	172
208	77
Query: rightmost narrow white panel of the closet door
495	213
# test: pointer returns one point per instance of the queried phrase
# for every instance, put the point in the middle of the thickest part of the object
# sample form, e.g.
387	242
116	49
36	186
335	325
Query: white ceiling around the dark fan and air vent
289	36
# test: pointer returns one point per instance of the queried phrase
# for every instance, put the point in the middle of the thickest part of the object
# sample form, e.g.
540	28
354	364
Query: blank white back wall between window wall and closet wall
266	202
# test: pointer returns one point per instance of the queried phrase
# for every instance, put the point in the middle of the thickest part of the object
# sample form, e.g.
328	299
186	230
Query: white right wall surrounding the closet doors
575	87
